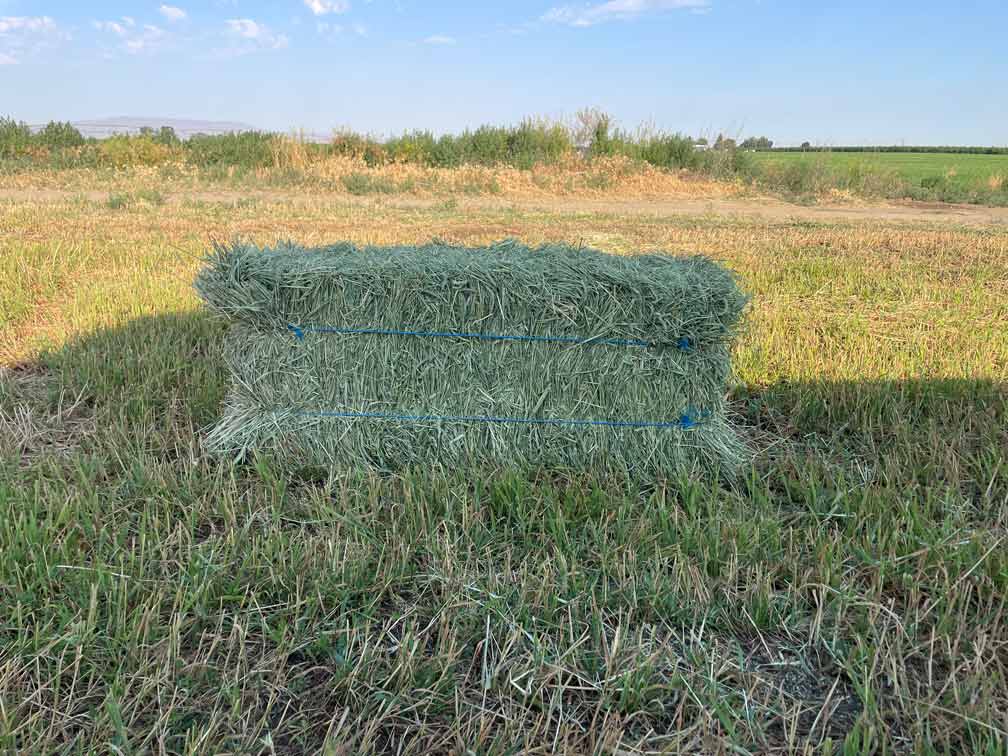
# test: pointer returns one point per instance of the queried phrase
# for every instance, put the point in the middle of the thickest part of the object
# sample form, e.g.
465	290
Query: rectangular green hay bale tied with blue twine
503	356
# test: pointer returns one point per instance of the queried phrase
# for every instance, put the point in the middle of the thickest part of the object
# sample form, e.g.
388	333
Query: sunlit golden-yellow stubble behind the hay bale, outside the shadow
901	282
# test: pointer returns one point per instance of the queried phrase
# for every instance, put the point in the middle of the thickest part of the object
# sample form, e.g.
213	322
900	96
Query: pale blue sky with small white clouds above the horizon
832	73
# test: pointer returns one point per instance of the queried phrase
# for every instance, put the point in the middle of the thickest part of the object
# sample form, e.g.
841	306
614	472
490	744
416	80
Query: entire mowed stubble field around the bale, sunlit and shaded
848	595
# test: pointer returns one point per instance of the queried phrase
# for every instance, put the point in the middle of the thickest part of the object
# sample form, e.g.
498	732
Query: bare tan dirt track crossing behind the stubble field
754	208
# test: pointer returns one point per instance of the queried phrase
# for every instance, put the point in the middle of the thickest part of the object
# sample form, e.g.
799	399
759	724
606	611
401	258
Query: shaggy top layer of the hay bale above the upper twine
507	288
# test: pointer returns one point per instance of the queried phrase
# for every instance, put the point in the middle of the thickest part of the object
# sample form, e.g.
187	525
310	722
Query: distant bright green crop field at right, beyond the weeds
959	176
